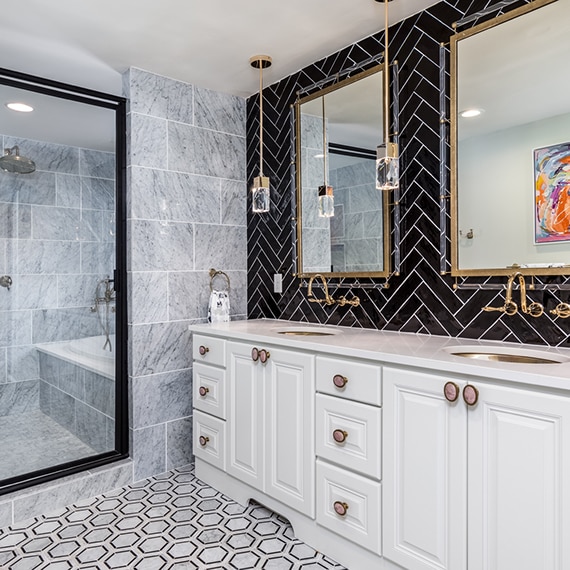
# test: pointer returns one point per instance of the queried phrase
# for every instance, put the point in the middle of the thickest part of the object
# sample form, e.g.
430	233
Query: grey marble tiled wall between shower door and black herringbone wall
187	214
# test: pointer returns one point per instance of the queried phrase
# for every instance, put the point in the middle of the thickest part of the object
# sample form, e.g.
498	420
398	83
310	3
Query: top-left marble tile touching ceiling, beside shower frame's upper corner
159	96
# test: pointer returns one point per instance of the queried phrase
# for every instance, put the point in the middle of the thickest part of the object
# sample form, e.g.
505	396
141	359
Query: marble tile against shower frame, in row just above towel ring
161	246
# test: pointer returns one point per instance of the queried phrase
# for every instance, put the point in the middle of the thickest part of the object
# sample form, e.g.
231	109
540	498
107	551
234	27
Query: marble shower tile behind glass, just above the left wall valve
45	257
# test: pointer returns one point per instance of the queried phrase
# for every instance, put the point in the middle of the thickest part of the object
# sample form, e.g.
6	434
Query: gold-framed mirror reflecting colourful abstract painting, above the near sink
510	160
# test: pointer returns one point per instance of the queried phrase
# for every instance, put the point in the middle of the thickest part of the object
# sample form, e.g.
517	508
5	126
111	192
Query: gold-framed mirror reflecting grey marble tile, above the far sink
337	131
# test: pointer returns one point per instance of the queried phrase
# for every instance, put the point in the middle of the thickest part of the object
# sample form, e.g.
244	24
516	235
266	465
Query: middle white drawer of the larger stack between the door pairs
357	429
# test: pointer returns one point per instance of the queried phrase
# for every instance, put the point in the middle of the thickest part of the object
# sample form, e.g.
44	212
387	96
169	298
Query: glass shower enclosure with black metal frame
62	277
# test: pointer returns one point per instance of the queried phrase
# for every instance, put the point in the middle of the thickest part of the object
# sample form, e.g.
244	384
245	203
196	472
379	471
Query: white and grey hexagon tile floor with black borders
170	522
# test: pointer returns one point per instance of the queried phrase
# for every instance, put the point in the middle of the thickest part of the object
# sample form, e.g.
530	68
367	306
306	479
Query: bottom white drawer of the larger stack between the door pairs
349	505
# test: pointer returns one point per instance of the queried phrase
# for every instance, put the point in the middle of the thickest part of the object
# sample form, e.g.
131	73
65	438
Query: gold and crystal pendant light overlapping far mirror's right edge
387	161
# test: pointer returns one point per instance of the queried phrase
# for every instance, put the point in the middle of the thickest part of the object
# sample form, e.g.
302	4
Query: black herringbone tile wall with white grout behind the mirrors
419	299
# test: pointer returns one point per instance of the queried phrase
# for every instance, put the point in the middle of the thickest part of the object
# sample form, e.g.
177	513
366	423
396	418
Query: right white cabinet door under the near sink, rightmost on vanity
519	479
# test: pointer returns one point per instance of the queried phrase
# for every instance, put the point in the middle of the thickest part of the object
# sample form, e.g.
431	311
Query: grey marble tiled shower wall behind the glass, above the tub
56	242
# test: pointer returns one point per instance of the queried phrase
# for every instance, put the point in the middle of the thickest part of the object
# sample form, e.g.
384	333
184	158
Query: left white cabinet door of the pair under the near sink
424	462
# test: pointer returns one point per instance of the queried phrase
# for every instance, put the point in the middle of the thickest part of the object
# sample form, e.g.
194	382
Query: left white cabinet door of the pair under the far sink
245	416
